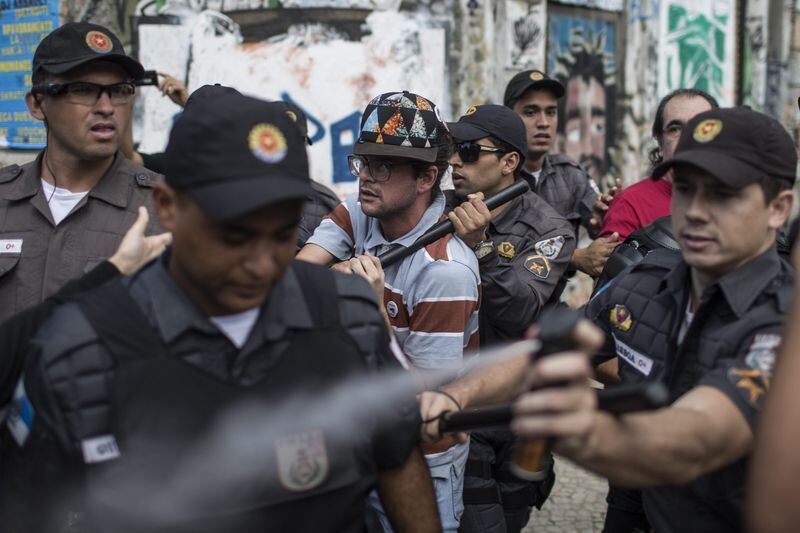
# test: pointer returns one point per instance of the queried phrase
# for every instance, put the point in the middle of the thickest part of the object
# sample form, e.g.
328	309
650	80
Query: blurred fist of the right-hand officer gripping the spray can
561	405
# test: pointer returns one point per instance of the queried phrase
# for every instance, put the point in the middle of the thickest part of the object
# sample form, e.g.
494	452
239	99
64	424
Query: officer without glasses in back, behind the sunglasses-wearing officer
563	184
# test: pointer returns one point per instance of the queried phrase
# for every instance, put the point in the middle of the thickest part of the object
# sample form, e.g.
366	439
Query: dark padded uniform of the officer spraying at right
730	345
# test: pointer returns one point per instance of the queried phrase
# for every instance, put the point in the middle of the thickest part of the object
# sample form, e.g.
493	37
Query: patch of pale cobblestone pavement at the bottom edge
577	503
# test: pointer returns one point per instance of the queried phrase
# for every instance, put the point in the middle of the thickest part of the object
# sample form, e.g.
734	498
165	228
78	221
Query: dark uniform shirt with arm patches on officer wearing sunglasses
533	246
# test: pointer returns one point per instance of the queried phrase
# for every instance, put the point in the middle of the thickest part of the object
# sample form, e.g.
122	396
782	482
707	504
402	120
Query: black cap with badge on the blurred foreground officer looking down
233	155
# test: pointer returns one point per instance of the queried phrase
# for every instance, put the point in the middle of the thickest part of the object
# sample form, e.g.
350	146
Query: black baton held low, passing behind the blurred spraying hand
617	401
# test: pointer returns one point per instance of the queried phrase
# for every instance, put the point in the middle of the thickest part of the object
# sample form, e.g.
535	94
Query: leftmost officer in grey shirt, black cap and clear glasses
66	211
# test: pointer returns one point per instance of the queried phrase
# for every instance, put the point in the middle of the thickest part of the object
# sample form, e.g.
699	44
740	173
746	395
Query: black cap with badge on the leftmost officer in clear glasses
77	43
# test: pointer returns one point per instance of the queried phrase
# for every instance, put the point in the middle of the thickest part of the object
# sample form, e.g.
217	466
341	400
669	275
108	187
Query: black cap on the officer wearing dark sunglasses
497	121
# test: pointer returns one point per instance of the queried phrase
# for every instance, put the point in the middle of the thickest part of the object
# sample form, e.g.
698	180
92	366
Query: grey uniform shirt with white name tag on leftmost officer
37	256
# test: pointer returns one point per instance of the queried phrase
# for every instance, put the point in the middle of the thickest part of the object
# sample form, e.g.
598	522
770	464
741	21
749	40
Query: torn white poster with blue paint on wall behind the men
316	67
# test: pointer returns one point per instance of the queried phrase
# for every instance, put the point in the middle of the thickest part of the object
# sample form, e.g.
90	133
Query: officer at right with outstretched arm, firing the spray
708	328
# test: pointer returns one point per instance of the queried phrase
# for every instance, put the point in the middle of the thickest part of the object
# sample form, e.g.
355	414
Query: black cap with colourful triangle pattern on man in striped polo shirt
400	124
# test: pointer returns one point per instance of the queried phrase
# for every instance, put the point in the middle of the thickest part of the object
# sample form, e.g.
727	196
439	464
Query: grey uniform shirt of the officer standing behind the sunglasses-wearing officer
567	188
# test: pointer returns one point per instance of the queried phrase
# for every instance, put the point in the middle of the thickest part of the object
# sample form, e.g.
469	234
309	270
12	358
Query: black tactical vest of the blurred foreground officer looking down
182	454
